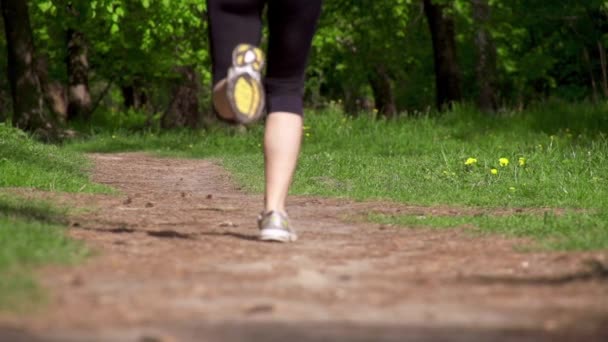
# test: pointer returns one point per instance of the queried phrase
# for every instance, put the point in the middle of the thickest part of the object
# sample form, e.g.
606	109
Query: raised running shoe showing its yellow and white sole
244	83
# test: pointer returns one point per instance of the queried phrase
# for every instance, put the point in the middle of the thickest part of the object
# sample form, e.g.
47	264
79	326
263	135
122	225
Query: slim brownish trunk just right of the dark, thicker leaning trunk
486	58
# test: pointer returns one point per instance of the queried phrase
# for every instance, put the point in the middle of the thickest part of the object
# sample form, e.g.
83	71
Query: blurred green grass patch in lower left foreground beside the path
31	234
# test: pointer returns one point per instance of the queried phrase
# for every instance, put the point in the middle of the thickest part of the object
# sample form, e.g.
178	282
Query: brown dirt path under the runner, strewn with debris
178	261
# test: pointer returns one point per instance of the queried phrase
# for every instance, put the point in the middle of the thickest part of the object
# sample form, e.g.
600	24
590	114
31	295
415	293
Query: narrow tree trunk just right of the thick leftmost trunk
79	96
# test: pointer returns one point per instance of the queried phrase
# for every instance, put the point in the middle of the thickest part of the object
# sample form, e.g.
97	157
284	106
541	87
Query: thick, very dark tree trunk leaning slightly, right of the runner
447	72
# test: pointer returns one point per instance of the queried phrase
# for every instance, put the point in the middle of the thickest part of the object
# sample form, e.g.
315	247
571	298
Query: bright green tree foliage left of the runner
130	41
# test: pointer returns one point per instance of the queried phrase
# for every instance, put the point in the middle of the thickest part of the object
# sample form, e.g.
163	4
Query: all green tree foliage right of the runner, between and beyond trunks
540	47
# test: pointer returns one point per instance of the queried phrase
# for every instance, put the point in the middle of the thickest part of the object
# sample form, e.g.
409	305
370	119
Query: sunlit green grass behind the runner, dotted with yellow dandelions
420	159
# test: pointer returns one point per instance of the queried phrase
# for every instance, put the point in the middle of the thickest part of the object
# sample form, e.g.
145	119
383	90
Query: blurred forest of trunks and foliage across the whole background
145	63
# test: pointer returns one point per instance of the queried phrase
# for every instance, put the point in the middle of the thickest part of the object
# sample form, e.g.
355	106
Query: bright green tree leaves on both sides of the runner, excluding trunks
544	49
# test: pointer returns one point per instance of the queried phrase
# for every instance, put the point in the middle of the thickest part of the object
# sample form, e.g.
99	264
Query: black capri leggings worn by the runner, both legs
291	24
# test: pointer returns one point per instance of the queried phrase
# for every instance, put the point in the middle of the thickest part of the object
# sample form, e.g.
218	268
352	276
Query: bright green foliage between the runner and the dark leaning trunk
353	39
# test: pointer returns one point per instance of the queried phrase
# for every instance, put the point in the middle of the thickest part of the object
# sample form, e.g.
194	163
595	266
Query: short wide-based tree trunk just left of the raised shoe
184	109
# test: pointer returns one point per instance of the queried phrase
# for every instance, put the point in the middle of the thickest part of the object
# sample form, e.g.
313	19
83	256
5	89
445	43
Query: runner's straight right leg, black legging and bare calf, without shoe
292	25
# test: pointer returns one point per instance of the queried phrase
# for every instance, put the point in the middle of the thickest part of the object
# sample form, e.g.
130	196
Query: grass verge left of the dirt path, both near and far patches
32	233
